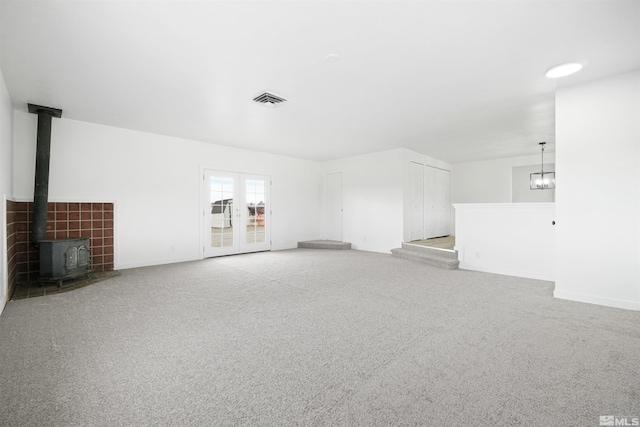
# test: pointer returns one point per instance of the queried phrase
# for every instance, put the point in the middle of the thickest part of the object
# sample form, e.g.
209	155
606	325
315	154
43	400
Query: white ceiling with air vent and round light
455	80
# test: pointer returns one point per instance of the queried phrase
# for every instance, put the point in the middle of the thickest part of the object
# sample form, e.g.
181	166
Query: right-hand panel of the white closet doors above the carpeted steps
437	202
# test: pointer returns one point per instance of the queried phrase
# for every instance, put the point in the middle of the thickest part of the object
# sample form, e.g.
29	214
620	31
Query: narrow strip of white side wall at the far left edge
6	182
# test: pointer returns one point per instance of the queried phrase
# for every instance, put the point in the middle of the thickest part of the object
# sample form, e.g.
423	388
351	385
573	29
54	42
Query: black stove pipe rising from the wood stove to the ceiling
43	152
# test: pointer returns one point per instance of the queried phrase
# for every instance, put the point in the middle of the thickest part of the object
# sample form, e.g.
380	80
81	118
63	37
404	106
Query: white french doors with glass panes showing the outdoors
236	213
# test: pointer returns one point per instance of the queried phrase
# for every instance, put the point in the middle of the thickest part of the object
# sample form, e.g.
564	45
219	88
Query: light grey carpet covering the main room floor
315	337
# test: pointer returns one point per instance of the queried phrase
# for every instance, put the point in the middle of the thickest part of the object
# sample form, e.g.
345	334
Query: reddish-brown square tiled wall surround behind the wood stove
64	220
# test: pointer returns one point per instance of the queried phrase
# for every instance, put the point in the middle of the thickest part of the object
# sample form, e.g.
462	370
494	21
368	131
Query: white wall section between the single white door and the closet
372	199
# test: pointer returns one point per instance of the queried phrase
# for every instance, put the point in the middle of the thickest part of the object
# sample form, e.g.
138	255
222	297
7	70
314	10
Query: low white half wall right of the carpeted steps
517	239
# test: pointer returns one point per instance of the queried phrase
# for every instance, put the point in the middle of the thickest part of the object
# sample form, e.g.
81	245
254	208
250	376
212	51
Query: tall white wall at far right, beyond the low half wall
598	192
